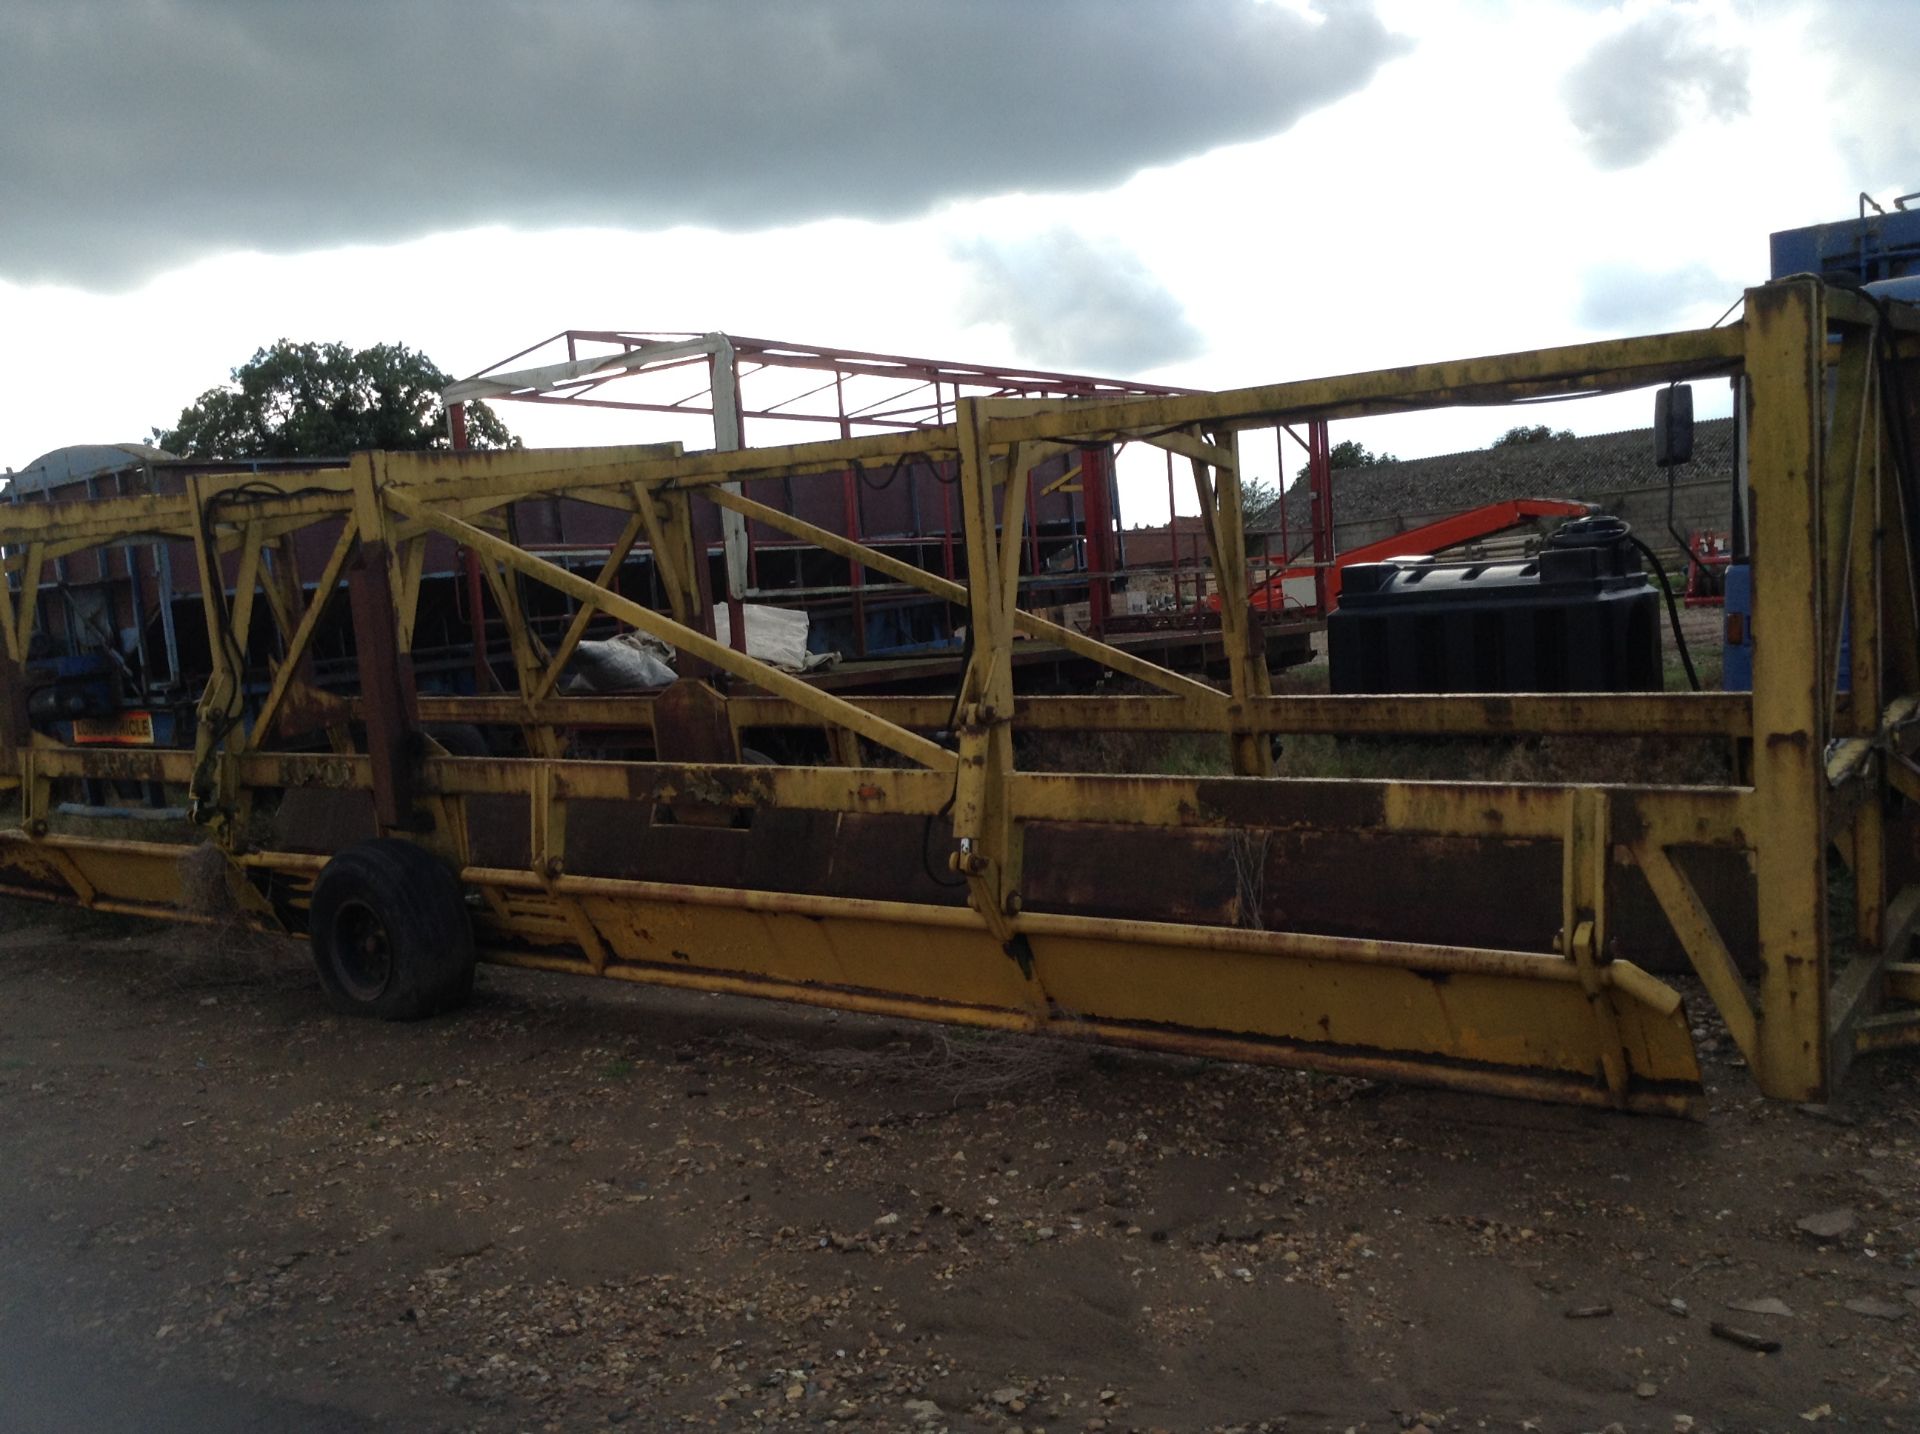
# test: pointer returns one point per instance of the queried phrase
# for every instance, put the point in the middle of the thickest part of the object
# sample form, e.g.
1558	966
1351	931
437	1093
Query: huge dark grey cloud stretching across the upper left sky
143	133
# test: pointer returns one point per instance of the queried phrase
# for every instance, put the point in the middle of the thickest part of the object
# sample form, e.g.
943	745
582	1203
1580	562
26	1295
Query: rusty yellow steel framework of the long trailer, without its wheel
1572	1018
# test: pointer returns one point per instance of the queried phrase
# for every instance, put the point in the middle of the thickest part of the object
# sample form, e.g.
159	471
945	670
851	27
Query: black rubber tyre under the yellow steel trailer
391	932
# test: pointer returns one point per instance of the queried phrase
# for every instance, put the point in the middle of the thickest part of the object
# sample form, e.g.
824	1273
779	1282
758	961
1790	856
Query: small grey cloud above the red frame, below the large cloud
1070	302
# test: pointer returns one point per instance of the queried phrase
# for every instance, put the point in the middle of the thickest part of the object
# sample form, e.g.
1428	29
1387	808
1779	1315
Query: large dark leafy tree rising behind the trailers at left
325	400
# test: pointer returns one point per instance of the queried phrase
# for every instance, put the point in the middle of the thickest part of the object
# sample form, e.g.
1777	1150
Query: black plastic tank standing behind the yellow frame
1577	619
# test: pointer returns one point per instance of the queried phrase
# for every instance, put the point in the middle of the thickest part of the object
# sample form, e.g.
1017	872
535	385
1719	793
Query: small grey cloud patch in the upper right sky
1643	84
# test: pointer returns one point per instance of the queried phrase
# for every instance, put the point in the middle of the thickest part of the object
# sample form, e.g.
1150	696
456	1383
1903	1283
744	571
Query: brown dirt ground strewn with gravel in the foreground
579	1207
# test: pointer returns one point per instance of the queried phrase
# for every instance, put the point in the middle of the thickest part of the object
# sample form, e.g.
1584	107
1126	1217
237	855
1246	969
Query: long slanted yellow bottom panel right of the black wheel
1491	1020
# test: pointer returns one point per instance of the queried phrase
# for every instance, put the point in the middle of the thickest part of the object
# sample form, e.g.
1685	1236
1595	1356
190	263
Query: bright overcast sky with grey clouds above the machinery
1191	191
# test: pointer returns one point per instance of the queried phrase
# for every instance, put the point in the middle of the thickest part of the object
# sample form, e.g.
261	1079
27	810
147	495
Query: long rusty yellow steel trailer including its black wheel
1485	936
